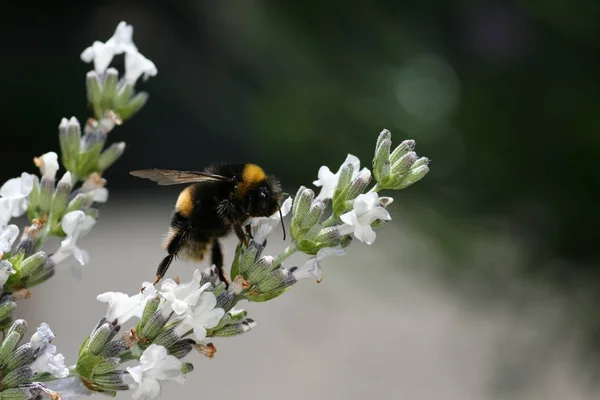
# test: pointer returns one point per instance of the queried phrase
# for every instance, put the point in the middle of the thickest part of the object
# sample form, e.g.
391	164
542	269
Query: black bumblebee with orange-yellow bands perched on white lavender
220	199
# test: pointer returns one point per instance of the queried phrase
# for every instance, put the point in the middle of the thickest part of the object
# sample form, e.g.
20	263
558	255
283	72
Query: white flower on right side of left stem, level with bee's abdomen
76	225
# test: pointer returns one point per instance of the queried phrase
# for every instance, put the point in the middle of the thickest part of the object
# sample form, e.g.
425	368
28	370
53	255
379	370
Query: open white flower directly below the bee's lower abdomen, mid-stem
202	317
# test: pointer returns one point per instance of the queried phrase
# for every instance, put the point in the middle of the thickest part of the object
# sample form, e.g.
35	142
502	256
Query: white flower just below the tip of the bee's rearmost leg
123	307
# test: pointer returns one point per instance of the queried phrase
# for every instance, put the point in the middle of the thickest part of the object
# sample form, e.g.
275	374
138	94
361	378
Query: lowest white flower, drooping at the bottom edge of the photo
155	365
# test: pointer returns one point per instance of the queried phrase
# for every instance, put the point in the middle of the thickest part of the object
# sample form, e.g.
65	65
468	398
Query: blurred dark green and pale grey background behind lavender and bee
486	284
